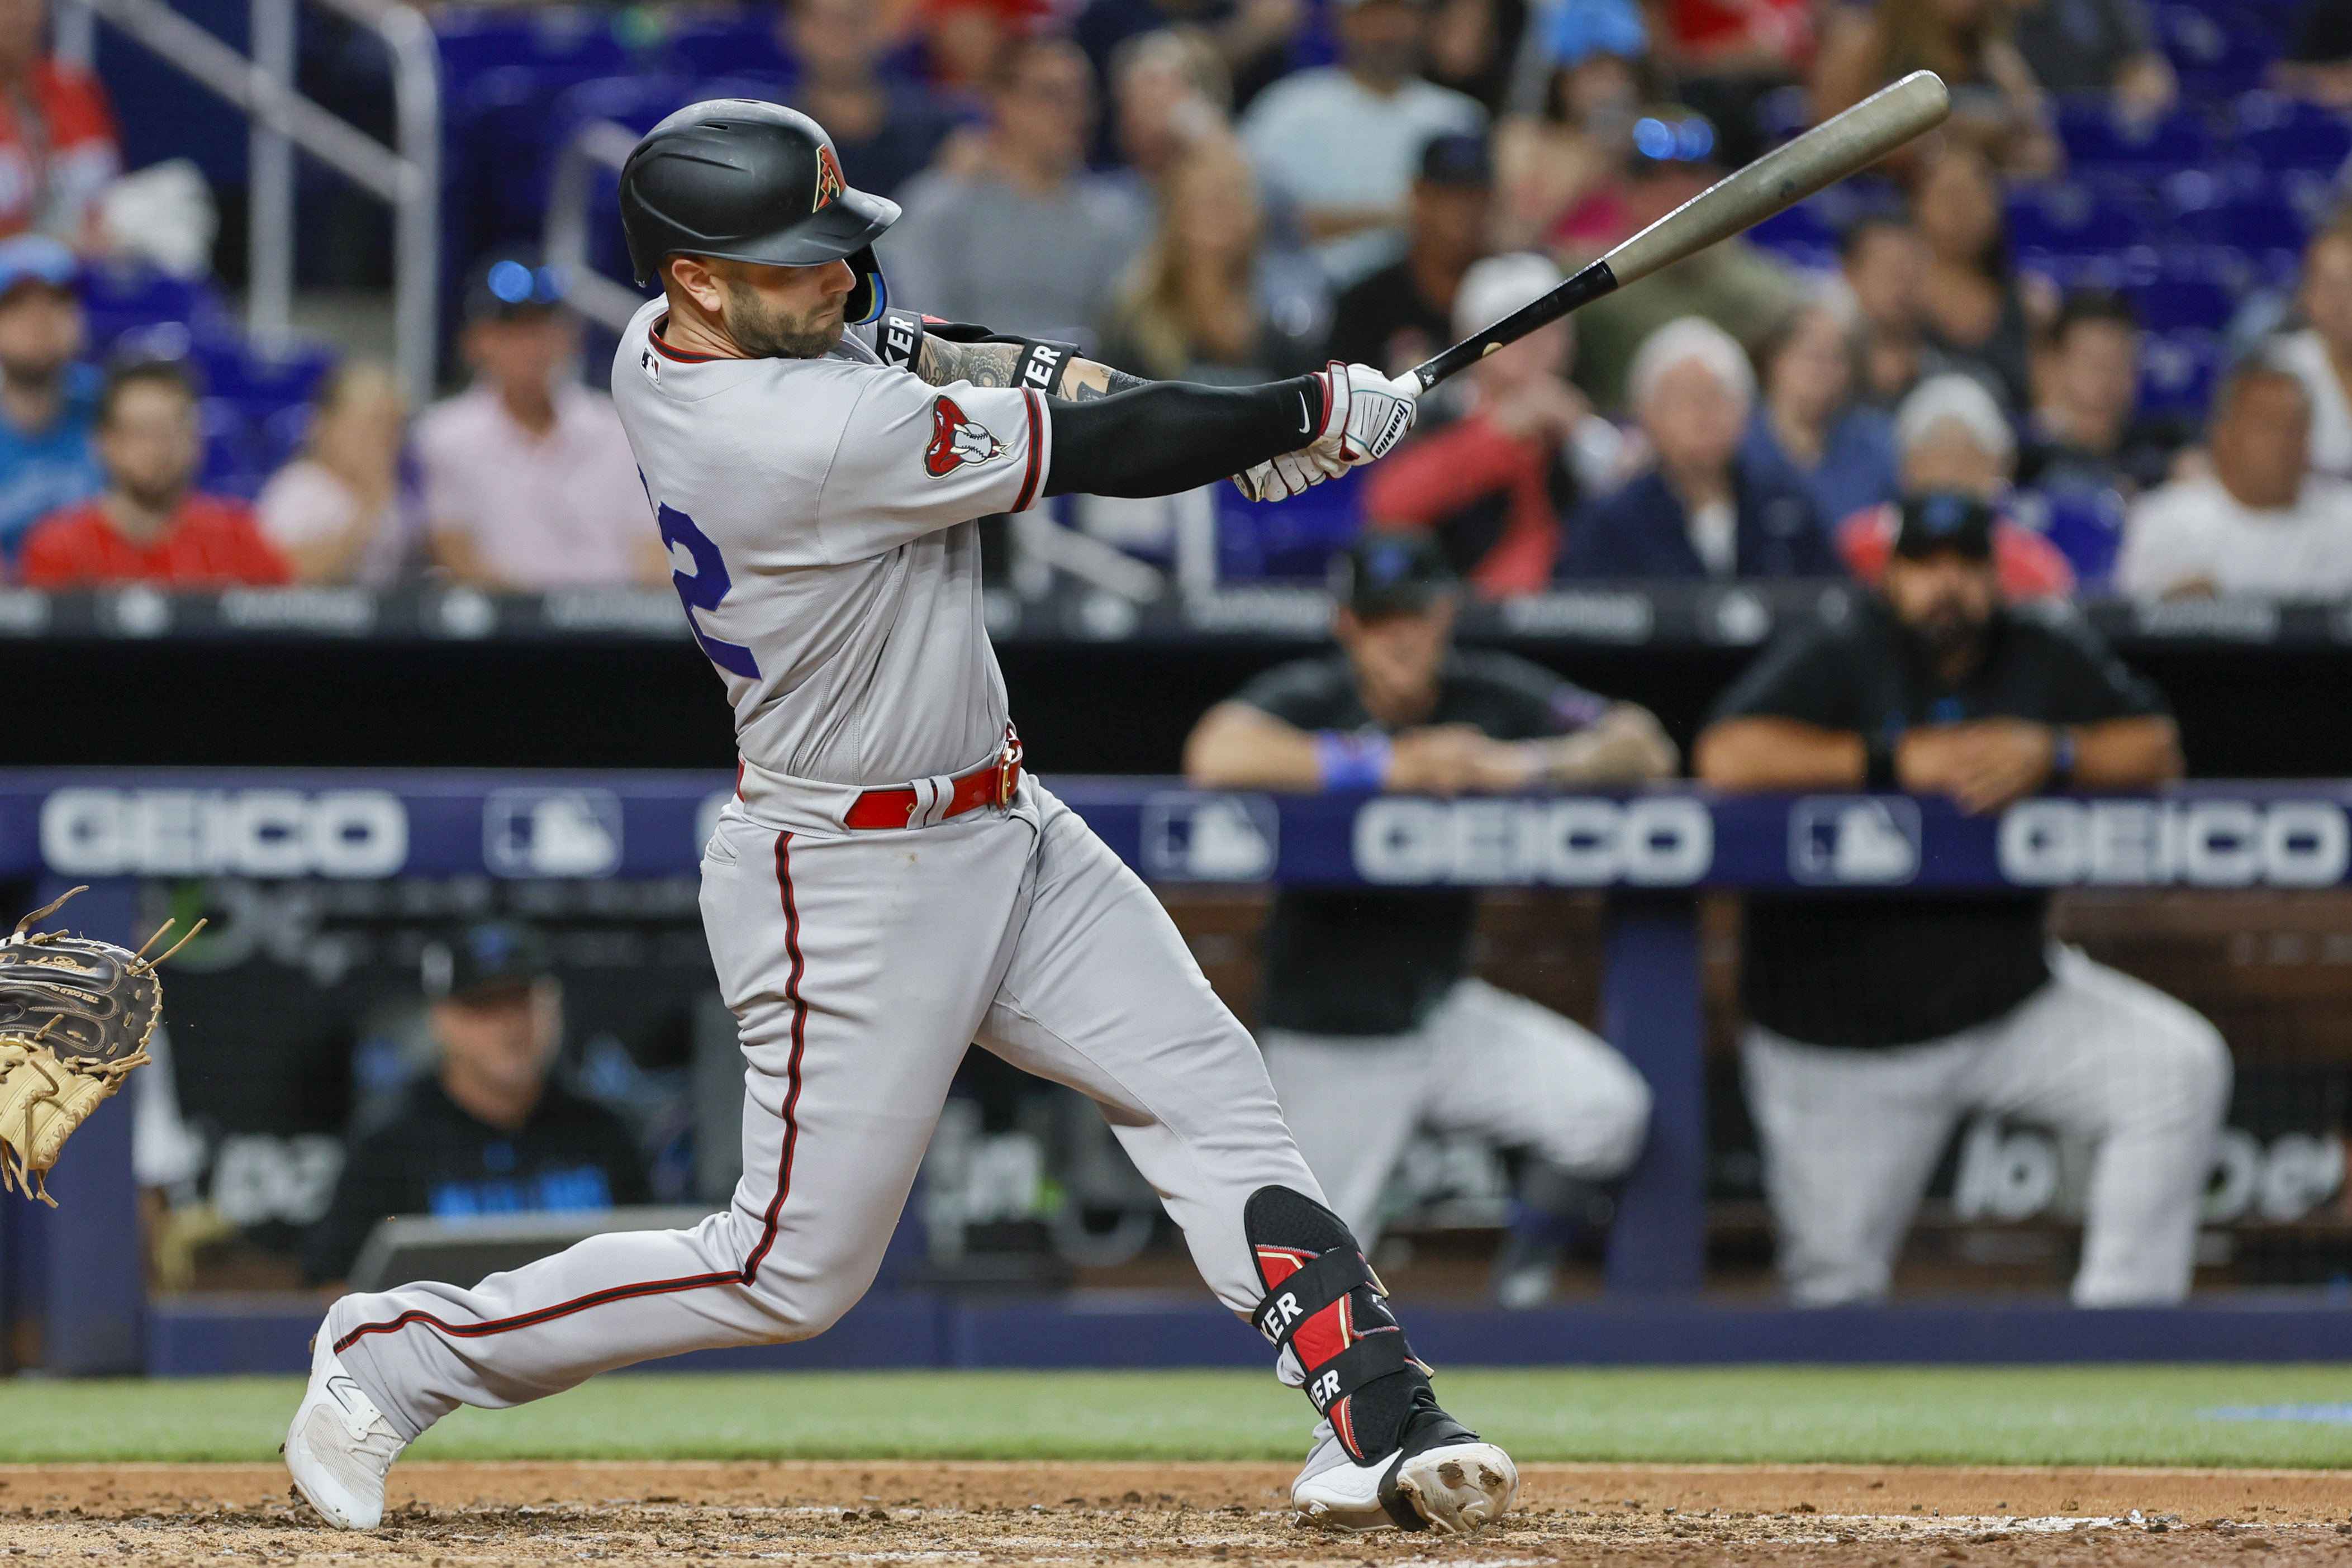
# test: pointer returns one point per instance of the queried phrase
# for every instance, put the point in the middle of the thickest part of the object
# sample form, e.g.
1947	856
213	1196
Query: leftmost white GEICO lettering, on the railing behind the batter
246	833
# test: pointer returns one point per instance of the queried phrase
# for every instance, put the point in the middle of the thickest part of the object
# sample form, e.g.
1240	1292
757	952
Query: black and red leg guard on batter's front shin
1328	1308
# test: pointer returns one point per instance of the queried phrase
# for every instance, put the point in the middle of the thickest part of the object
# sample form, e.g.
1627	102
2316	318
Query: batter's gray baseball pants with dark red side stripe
860	967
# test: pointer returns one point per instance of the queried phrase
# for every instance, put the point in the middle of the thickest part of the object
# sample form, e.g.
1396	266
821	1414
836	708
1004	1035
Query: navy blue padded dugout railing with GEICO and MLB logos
1650	857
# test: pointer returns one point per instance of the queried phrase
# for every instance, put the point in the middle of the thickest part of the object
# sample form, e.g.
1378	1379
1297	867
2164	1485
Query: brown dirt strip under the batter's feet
930	1513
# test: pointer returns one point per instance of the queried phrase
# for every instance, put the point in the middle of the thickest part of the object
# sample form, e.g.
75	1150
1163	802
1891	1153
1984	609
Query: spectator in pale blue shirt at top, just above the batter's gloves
1339	142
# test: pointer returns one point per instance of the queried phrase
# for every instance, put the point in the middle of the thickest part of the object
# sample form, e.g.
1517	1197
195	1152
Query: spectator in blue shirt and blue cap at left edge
48	396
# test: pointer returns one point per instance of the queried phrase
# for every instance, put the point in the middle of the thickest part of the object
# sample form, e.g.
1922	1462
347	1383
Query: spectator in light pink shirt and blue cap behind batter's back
528	474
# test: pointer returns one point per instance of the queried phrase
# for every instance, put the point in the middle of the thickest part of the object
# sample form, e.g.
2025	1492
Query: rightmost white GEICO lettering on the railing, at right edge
2205	843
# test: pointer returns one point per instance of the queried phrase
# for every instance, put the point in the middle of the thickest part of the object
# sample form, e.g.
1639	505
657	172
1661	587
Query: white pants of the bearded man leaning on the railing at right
1852	1137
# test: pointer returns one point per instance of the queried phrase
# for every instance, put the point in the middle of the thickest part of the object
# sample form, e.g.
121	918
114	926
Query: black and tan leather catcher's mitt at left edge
74	1021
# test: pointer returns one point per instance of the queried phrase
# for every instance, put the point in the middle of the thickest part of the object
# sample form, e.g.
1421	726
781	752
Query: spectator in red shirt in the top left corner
58	135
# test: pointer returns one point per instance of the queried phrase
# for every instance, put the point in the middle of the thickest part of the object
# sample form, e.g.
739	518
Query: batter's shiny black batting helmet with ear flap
751	182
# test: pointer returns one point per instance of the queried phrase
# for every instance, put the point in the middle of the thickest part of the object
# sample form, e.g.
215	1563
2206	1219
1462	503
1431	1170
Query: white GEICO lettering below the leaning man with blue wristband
1572	843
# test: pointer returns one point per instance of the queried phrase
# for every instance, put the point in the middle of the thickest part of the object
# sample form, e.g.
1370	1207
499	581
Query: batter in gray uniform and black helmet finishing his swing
888	883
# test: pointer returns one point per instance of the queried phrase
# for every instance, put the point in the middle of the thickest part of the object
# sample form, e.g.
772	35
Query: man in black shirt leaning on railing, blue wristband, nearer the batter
1372	1021
